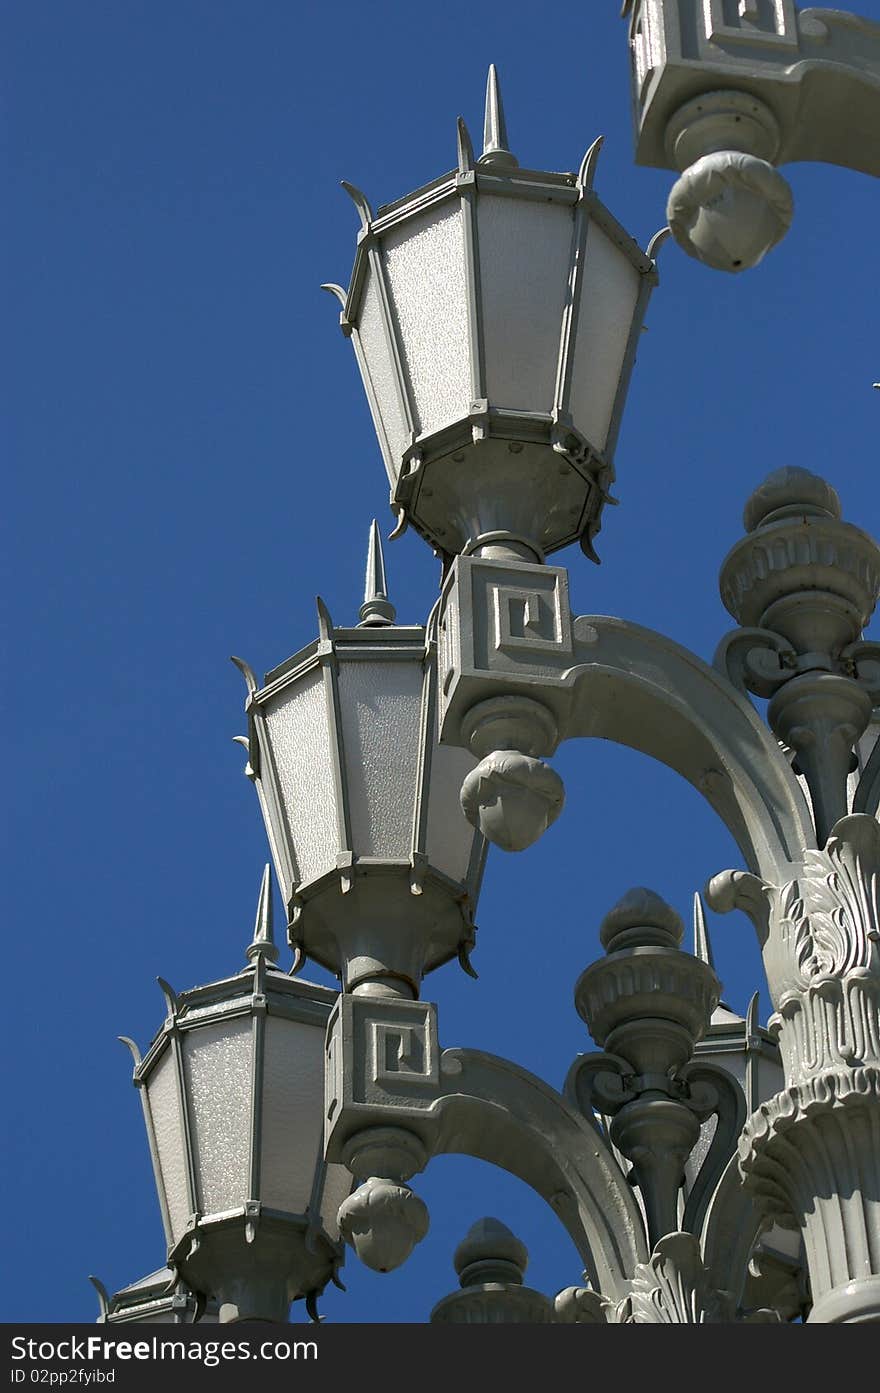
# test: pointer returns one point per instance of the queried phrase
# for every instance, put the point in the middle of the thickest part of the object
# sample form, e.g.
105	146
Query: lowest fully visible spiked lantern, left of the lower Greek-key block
233	1094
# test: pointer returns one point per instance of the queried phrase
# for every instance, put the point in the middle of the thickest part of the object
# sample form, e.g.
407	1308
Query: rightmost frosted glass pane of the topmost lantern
608	302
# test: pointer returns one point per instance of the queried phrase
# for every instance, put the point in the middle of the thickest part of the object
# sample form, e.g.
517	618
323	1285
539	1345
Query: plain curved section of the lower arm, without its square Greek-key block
501	1114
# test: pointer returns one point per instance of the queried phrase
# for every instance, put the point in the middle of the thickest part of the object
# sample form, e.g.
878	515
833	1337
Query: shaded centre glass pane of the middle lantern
381	736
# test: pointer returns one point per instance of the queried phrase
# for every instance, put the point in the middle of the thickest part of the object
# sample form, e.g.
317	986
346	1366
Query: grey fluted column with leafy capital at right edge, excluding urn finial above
812	1153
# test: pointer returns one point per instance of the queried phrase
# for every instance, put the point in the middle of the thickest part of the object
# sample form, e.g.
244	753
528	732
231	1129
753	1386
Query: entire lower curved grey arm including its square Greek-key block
395	1100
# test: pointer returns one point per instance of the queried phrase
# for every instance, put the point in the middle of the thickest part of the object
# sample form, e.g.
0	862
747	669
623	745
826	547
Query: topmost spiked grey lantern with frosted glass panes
495	317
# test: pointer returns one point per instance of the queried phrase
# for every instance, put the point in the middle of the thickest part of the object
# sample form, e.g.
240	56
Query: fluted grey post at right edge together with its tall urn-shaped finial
804	584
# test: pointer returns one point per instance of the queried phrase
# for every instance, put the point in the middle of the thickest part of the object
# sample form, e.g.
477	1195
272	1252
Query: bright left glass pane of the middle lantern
300	739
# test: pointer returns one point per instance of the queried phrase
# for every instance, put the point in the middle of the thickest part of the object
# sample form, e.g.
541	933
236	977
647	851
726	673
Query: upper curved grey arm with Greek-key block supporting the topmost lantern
506	632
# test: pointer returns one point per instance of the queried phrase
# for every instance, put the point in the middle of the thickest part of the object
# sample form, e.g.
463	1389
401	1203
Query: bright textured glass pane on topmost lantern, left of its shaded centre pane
427	277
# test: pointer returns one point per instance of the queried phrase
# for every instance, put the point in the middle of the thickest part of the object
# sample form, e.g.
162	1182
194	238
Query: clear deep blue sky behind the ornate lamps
193	460
